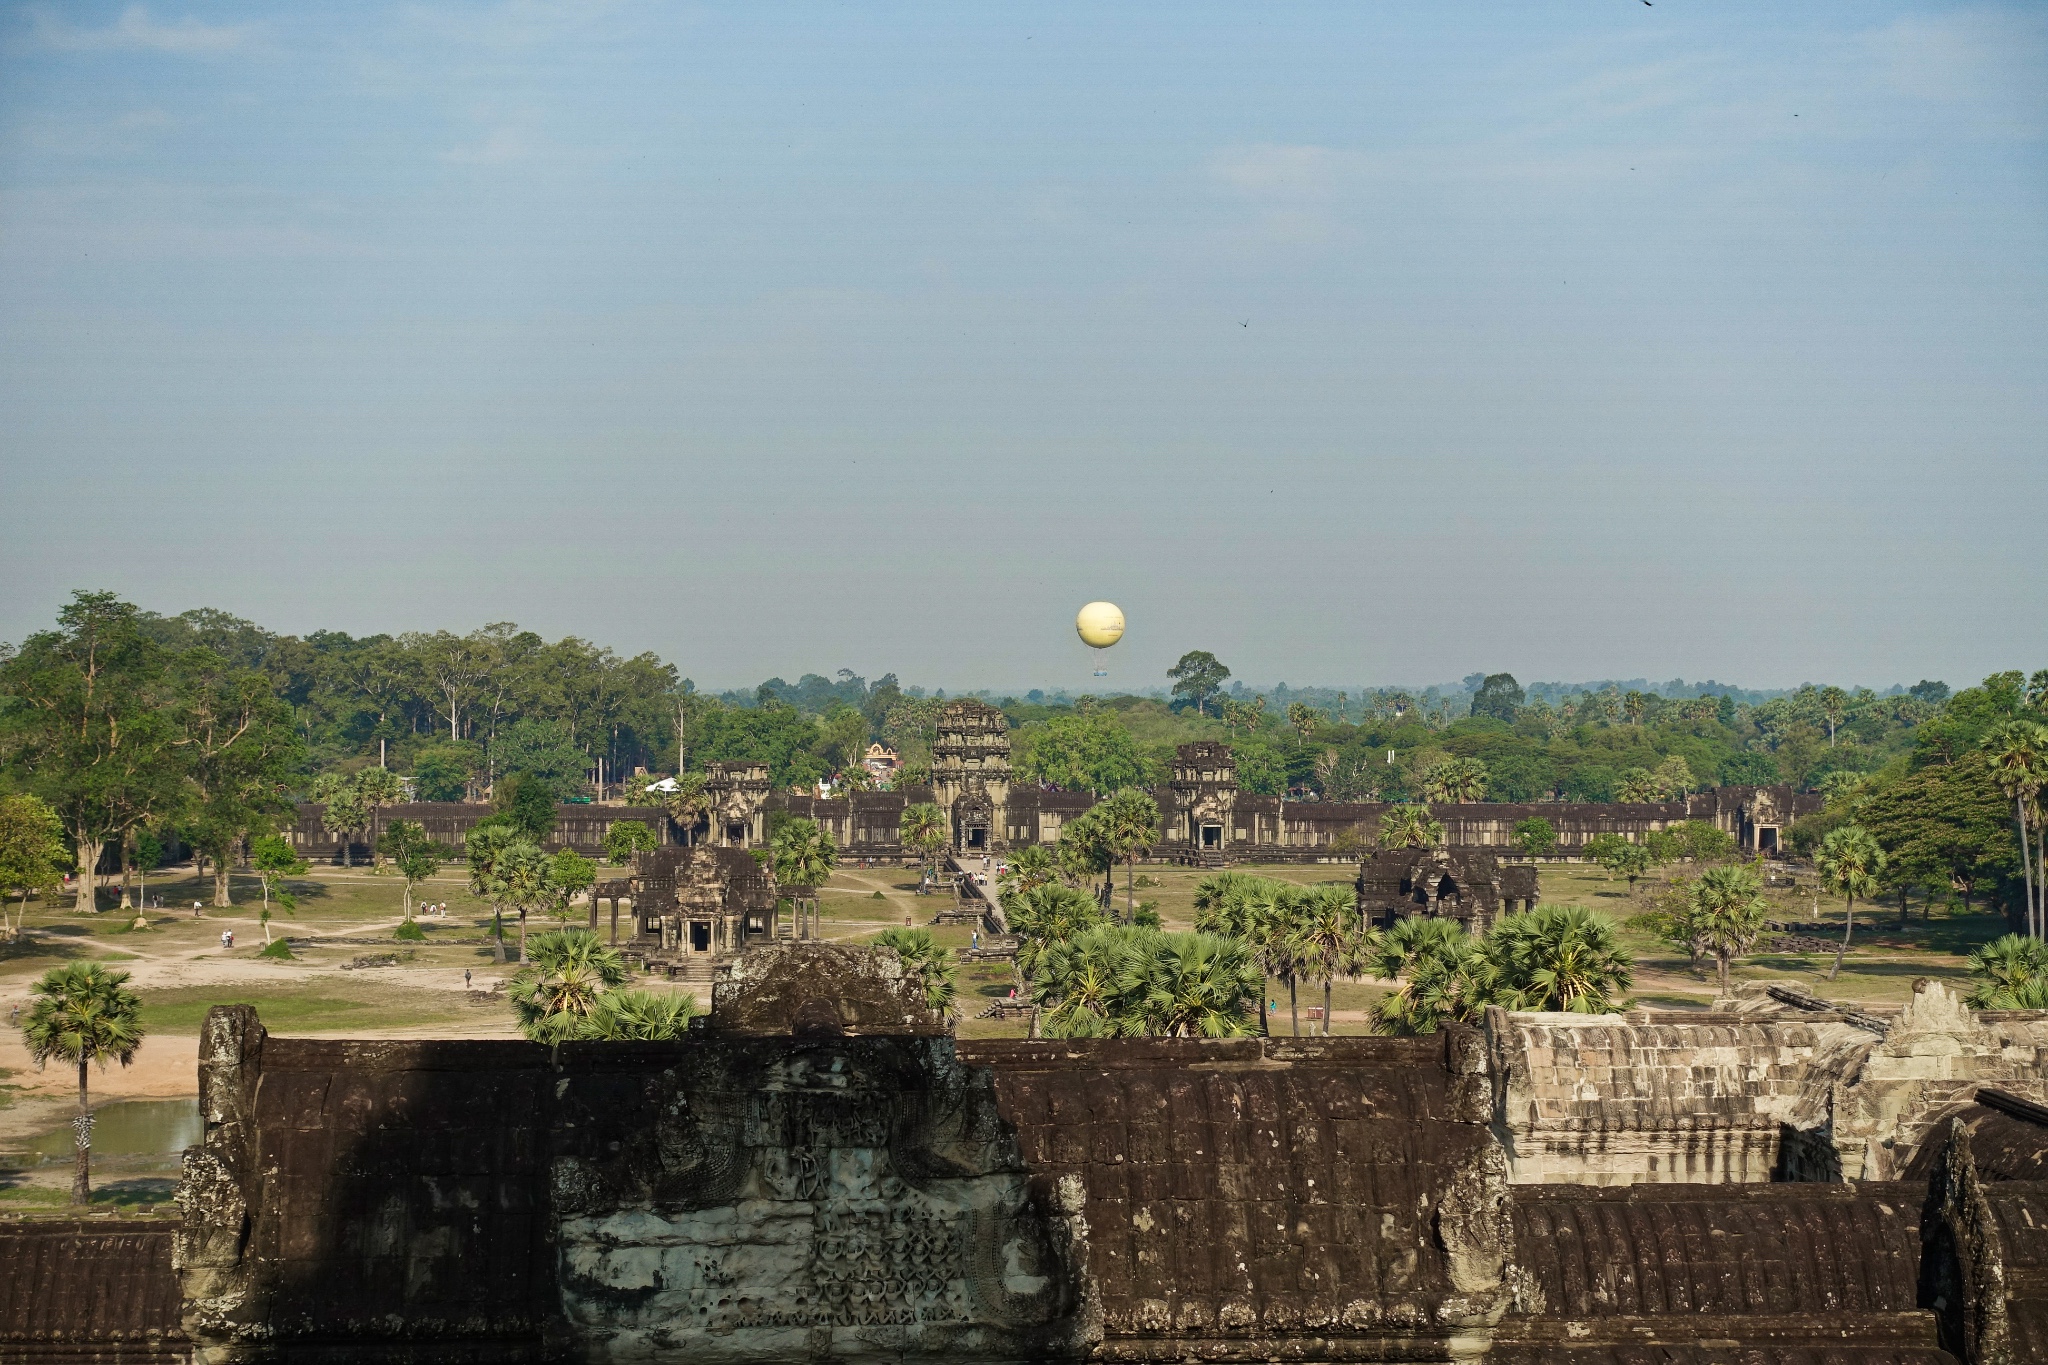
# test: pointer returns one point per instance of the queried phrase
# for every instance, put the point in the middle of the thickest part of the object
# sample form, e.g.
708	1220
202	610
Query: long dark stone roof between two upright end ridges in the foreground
744	1198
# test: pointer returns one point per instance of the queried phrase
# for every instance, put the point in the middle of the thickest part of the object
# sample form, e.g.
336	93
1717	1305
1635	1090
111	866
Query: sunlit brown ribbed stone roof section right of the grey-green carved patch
1246	1198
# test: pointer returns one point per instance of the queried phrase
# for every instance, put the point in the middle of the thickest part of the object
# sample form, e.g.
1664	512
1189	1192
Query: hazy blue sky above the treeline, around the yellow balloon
1351	343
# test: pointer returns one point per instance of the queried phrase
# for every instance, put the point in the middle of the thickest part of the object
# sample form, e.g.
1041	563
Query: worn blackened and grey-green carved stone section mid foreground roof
847	1200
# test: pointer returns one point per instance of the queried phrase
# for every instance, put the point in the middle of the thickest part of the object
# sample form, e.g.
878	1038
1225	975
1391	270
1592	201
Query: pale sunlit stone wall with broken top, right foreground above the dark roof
1748	1096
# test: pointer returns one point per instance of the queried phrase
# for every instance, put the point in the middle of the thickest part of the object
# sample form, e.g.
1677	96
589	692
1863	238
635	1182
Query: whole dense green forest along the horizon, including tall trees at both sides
210	728
